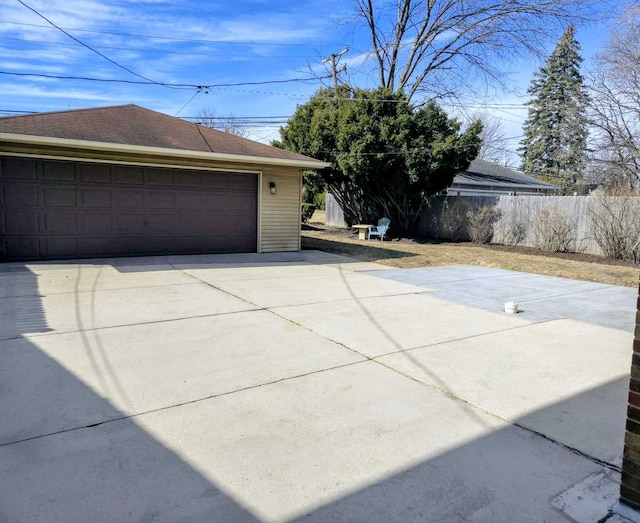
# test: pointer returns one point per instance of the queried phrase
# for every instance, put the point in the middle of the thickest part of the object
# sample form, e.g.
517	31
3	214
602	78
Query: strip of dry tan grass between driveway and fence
411	253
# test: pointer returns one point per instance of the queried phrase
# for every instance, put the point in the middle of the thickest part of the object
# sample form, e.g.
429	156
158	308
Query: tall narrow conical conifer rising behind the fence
555	131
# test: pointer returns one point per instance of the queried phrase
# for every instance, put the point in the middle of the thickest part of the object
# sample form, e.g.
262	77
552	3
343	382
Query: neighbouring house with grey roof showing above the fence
484	178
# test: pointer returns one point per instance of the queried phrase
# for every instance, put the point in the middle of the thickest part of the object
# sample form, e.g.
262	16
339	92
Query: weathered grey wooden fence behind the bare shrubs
445	217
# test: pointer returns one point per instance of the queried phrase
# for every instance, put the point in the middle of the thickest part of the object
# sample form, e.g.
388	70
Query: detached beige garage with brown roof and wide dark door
124	180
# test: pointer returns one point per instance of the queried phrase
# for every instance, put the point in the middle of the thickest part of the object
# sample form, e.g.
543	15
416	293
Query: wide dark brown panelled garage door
58	209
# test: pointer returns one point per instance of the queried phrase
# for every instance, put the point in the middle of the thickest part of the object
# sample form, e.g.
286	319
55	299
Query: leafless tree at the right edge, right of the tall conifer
615	107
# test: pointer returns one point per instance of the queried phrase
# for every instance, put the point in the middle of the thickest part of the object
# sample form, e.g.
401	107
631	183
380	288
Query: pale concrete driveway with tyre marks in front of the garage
279	387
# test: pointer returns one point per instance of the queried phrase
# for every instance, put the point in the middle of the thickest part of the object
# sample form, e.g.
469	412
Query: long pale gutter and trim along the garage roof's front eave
159	151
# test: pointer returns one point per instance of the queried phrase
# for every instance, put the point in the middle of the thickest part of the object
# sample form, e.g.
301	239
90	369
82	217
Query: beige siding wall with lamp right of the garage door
280	229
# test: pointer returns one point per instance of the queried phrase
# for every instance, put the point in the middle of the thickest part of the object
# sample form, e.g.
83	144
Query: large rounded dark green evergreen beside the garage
386	155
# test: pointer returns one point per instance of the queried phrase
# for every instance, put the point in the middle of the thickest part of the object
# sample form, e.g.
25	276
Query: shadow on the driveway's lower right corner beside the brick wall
511	474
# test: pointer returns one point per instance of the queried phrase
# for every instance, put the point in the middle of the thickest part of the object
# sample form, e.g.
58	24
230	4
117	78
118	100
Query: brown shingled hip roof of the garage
131	125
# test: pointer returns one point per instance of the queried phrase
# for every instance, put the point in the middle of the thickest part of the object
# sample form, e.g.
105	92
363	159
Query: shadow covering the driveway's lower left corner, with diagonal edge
108	470
